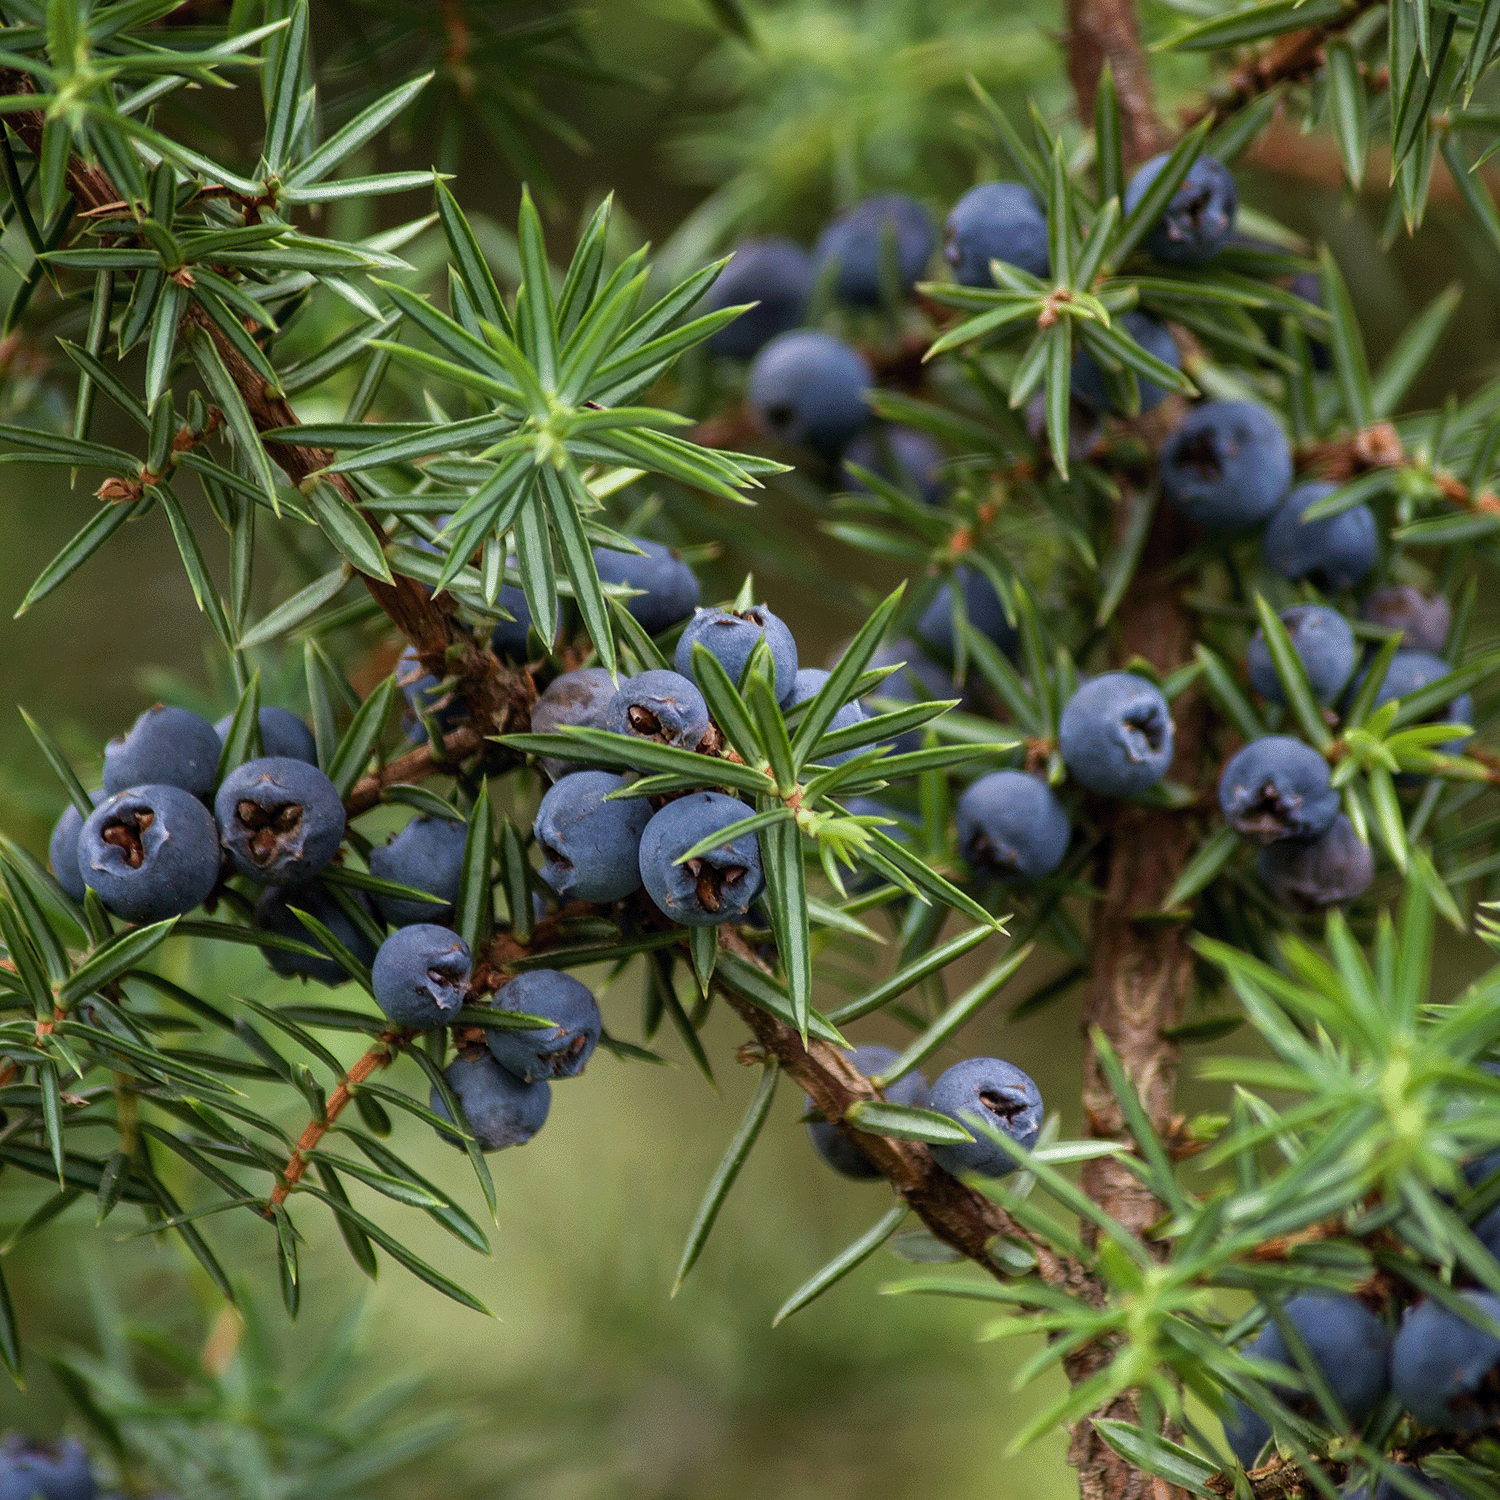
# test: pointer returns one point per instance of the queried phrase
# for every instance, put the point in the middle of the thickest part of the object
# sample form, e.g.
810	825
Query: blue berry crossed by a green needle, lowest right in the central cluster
710	889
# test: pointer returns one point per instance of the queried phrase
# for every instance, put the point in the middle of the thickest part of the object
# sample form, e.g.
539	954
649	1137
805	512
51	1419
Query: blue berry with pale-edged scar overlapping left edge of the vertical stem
1117	736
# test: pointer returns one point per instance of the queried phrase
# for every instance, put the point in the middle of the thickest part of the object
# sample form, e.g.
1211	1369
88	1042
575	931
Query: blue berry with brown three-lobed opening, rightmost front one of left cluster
283	821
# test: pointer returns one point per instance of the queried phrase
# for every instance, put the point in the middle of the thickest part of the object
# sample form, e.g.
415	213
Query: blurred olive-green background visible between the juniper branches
593	1384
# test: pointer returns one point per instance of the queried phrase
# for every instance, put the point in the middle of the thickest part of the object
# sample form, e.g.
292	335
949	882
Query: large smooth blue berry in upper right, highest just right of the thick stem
1228	466
